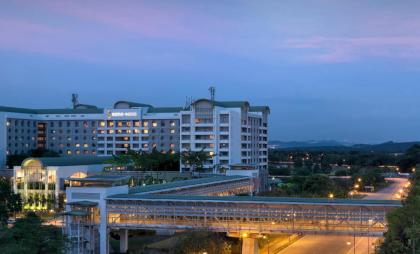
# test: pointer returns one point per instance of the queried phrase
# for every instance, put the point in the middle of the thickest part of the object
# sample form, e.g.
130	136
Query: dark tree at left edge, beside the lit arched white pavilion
10	203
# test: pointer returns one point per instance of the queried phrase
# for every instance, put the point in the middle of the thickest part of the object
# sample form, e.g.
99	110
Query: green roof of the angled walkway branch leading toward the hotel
184	184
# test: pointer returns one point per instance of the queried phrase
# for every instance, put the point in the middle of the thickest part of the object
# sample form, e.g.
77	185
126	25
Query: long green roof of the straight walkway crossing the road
259	199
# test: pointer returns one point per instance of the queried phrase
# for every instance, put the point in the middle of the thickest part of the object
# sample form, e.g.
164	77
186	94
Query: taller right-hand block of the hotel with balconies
233	133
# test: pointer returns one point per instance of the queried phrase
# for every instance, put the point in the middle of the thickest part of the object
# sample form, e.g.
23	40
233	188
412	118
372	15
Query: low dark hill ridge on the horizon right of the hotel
332	145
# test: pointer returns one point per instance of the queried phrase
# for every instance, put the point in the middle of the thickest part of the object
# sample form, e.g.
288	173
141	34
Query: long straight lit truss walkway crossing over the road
250	215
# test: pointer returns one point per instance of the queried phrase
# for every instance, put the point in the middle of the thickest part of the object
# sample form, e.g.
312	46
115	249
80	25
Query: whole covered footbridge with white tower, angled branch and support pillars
209	204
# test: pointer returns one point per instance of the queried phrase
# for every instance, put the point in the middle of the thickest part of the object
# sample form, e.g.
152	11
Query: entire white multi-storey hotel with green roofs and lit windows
233	133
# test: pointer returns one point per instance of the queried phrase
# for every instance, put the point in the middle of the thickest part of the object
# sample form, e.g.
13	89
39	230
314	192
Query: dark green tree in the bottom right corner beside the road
404	224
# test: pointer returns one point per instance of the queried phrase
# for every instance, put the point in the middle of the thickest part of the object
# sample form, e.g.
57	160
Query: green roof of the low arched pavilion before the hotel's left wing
72	160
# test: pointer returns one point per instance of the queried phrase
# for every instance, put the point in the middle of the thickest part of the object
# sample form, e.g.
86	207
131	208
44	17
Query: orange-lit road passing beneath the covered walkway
330	244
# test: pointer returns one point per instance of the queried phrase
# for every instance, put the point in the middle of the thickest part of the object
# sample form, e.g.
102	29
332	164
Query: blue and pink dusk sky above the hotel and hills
347	70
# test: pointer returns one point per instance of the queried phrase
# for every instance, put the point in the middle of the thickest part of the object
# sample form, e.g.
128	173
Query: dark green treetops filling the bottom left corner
29	236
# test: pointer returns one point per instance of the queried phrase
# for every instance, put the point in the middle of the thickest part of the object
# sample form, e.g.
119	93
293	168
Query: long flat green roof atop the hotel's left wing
52	111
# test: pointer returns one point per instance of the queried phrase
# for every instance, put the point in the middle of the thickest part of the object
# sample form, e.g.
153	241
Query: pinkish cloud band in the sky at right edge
335	50
